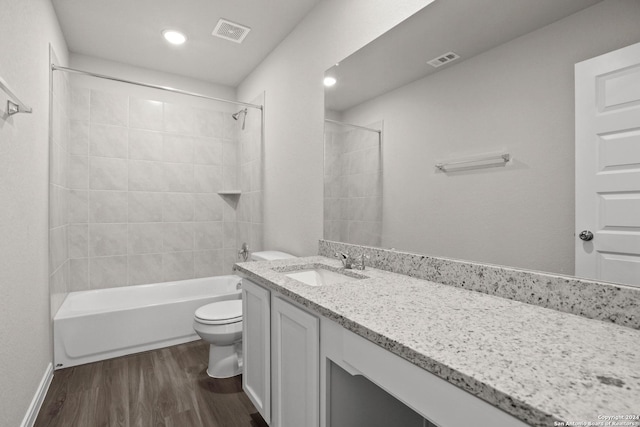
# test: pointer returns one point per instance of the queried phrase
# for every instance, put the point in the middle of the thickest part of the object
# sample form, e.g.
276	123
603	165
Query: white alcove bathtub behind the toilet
105	323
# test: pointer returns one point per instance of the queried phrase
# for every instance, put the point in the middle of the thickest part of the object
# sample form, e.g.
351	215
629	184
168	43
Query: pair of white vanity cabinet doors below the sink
281	358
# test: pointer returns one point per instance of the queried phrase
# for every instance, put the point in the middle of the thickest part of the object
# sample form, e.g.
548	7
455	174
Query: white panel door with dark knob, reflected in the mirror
608	167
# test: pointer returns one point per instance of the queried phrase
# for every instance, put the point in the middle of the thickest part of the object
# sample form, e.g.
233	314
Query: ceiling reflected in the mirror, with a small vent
466	27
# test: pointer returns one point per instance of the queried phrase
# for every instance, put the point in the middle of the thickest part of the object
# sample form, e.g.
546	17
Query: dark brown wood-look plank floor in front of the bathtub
167	387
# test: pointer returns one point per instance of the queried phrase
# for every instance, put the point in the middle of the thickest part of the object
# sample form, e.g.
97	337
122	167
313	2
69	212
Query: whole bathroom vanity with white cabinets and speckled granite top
451	356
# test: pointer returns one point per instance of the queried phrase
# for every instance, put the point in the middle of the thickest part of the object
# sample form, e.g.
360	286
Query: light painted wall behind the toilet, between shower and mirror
291	77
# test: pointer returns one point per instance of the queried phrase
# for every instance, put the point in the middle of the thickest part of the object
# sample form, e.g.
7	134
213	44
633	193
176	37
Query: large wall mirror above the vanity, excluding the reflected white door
511	91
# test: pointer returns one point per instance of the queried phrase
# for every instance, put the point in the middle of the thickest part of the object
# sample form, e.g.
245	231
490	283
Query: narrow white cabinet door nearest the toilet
256	330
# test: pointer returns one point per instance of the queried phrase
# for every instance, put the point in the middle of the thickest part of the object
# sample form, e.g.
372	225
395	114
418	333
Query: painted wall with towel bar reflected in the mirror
518	97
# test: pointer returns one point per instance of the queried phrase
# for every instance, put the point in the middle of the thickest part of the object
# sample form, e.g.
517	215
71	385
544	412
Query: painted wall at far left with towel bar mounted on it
26	29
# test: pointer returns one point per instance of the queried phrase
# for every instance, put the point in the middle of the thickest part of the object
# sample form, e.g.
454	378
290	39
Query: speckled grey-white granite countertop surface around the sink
540	365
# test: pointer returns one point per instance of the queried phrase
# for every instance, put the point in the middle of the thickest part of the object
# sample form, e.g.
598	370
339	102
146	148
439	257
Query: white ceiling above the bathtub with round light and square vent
129	31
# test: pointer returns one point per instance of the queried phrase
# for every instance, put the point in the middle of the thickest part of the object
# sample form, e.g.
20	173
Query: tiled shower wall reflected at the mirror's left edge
353	185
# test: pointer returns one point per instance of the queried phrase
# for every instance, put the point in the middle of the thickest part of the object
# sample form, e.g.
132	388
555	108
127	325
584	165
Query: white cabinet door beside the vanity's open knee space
295	366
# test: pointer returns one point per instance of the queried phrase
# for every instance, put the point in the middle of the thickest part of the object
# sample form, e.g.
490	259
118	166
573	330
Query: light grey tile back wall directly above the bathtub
143	177
